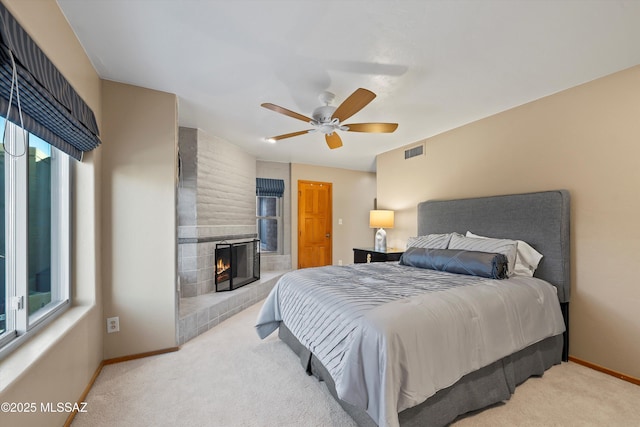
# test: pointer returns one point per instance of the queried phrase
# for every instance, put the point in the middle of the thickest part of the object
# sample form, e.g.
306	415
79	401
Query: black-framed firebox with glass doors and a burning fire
236	264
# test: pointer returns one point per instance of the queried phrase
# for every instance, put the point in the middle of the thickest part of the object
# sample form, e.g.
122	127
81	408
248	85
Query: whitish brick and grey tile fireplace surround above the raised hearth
216	204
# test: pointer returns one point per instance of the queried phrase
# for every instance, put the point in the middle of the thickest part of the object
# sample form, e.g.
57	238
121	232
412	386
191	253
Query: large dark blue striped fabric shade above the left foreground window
51	108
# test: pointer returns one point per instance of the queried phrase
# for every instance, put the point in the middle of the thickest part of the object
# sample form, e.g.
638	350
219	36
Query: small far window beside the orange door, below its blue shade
269	217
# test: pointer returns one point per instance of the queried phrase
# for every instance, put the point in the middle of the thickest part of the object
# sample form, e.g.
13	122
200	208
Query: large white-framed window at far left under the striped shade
34	233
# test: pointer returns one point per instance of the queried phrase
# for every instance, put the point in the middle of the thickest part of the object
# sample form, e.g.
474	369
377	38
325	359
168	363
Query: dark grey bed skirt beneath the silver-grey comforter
487	386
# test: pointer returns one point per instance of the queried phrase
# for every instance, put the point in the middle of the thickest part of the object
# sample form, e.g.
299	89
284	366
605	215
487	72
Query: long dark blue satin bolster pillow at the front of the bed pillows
472	263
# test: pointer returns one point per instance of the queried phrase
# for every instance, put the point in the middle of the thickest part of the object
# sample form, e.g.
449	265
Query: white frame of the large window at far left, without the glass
19	324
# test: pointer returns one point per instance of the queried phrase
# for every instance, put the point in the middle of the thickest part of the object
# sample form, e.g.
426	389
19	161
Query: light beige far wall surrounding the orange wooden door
353	196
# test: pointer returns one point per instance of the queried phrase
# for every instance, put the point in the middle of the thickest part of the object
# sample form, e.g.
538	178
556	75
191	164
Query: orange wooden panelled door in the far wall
314	224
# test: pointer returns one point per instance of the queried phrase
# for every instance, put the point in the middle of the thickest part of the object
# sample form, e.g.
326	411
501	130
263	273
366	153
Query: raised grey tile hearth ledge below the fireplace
201	313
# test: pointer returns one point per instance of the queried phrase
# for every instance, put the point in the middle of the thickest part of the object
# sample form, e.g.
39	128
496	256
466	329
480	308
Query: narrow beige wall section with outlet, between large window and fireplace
139	218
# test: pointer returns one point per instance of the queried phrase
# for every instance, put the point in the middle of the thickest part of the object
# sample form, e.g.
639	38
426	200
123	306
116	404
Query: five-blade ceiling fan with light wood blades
327	119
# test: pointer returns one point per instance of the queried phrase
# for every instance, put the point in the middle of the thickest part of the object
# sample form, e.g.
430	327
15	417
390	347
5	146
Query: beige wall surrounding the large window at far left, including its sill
58	363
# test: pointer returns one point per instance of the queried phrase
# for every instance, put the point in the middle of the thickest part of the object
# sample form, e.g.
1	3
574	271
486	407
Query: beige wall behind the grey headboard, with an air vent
585	139
